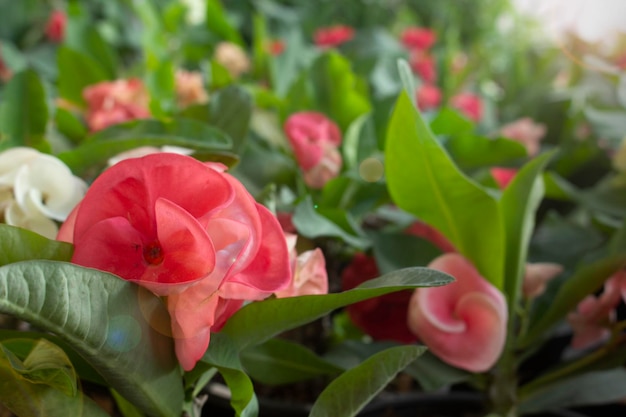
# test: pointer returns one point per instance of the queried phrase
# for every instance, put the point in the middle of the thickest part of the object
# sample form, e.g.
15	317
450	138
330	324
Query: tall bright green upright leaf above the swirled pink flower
424	181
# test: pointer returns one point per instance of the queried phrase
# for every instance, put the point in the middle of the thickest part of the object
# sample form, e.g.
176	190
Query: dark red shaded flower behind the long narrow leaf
384	317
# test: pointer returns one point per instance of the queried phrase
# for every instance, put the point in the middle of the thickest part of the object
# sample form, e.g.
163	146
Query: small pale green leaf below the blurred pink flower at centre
312	224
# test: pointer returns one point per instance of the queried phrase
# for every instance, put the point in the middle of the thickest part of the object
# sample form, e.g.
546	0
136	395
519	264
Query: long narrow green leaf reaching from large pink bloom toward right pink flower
260	321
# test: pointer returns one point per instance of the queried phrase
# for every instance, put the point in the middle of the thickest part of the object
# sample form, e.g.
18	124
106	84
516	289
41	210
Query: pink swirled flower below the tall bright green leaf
463	323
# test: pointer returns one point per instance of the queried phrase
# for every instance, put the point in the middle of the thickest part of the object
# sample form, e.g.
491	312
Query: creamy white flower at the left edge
36	189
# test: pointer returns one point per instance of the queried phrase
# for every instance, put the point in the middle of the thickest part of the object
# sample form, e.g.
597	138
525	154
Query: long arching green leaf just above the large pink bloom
95	152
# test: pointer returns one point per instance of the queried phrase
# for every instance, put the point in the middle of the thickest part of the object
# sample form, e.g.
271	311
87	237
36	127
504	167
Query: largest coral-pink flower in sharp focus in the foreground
185	230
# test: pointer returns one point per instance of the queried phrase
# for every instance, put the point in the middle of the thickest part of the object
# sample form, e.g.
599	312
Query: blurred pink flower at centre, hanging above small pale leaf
315	140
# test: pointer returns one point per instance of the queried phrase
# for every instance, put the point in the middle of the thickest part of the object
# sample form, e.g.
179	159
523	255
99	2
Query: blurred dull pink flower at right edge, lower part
595	314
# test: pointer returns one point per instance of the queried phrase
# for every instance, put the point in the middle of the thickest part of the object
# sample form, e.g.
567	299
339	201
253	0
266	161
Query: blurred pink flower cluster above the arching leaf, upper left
113	102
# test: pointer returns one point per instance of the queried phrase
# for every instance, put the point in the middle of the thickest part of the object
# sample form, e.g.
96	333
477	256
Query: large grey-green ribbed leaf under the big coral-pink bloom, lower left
115	325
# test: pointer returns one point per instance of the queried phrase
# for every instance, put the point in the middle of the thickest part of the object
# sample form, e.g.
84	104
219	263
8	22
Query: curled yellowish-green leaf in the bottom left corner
42	384
